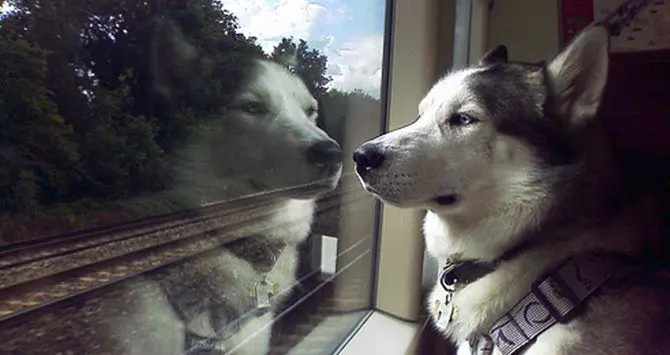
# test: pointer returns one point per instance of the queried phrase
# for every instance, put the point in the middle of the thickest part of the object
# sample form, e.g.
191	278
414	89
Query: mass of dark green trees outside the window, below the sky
96	95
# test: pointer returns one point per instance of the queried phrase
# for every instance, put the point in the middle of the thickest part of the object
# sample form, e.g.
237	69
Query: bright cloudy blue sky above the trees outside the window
349	32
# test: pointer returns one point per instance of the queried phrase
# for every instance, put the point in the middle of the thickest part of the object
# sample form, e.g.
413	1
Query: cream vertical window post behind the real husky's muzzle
413	54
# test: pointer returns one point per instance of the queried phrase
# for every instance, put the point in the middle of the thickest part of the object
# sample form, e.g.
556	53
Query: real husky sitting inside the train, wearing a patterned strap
519	181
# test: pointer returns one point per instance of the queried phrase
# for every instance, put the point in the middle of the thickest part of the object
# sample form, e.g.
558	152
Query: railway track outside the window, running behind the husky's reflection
70	273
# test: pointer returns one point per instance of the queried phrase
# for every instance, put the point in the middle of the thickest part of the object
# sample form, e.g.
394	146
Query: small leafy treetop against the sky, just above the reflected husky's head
307	63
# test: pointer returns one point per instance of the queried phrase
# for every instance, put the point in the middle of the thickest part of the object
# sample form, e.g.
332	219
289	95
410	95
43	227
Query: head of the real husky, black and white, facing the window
484	130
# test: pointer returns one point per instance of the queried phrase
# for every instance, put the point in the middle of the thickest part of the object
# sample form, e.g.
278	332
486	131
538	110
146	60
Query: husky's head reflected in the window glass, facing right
267	140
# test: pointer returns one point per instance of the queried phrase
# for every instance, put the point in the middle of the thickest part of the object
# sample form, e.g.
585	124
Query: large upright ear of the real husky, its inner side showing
579	73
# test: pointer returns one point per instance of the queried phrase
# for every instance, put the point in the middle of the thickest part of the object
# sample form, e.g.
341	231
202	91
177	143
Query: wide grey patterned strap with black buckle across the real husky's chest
554	298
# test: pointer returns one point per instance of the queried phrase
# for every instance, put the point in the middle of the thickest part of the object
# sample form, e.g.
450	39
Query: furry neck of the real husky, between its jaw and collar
535	207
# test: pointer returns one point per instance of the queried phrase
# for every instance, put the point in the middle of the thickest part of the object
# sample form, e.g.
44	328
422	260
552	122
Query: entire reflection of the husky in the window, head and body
222	302
